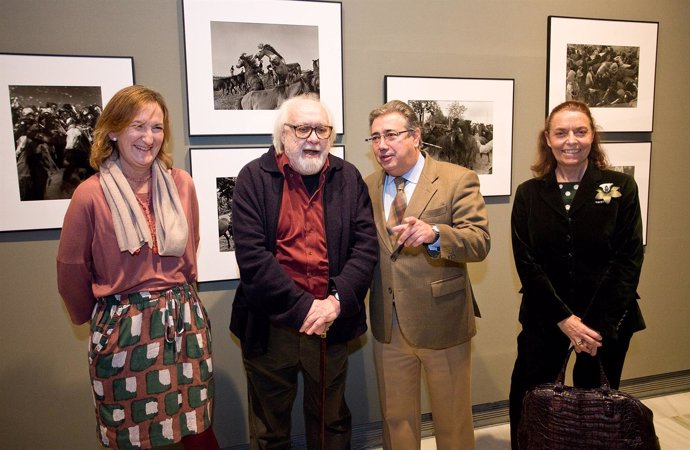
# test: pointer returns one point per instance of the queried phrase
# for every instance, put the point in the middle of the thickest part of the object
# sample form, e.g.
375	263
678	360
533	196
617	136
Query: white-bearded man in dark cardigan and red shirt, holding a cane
306	248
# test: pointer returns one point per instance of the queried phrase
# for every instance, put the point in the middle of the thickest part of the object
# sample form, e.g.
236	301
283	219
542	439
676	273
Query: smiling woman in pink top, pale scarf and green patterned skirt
127	263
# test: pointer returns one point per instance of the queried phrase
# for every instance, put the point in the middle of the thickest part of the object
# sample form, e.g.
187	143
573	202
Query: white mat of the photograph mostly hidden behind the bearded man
207	165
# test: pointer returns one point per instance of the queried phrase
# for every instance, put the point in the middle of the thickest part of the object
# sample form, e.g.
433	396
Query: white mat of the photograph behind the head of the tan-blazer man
497	91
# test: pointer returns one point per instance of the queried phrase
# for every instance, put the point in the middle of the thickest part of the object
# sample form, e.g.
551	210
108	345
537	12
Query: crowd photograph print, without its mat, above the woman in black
602	75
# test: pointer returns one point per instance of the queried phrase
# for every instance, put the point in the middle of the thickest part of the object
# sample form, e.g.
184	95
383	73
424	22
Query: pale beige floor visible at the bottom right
671	422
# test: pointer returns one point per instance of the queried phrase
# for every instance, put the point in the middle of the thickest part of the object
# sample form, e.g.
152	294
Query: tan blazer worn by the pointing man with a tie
433	296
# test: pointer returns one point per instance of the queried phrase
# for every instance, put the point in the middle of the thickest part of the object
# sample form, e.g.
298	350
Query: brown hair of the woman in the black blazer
546	162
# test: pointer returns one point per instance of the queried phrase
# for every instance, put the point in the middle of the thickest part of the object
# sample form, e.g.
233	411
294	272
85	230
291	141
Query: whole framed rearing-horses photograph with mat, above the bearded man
245	57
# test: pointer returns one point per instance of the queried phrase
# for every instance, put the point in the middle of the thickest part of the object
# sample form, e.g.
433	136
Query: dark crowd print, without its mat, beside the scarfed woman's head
52	128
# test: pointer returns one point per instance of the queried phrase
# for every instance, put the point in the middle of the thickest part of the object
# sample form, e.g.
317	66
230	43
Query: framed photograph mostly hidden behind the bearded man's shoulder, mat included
215	171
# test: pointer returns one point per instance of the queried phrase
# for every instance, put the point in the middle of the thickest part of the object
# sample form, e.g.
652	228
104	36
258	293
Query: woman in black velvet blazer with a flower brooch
577	245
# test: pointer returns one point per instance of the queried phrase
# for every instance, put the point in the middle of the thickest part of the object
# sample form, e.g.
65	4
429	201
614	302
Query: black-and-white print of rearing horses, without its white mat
258	66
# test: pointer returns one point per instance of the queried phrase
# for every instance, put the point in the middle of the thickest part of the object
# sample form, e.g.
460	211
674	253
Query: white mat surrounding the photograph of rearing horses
198	15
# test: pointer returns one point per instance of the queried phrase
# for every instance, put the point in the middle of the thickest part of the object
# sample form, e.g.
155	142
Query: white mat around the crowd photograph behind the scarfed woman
109	73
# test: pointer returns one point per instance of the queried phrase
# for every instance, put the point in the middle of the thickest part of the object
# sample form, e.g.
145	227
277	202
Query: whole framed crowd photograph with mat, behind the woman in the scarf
51	106
